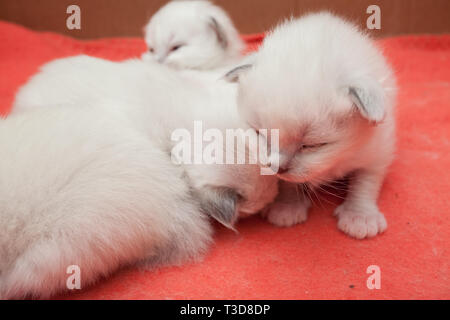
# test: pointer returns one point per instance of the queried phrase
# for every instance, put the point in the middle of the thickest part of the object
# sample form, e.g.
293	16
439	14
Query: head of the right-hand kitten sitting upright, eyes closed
322	84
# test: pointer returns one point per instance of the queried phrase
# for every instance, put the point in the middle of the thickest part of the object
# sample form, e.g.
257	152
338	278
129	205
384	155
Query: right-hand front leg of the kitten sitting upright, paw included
359	215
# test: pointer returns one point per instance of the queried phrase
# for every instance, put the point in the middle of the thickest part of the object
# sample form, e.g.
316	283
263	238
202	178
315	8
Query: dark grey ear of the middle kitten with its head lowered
220	203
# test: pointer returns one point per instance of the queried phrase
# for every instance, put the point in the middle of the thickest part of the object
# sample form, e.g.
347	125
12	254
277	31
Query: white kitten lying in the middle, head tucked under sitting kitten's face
156	99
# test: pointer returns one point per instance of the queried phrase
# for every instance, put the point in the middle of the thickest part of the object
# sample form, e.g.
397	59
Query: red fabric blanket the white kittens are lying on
312	260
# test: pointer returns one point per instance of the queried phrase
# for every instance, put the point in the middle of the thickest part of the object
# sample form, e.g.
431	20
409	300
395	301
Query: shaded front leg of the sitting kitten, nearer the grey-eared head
290	207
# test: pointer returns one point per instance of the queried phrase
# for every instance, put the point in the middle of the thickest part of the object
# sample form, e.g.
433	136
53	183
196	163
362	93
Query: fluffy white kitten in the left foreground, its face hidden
82	187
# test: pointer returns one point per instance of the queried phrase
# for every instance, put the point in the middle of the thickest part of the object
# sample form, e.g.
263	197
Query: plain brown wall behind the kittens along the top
112	18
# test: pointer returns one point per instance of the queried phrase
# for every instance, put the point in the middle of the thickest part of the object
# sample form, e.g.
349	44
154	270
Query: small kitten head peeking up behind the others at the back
192	34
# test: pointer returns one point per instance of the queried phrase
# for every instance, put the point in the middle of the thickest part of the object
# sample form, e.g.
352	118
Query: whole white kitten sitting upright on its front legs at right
329	90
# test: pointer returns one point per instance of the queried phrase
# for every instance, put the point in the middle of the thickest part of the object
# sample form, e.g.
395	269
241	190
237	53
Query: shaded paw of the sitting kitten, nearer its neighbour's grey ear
287	214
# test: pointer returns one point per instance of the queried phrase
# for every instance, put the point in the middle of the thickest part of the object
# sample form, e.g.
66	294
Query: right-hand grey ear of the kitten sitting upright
369	100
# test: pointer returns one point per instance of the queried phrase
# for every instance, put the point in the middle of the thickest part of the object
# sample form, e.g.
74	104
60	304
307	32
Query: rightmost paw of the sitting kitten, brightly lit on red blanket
359	223
